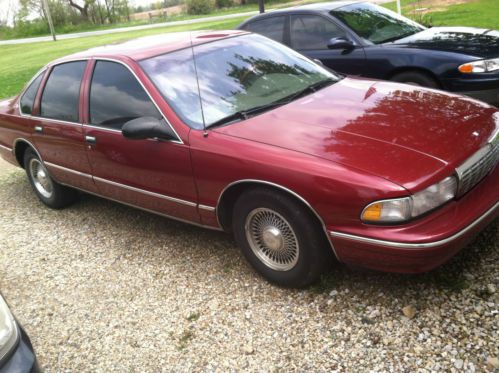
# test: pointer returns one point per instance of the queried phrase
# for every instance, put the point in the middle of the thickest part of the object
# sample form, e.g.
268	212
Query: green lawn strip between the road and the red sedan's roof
18	63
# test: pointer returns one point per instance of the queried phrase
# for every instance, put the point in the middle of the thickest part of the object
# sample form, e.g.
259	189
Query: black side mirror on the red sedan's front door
146	128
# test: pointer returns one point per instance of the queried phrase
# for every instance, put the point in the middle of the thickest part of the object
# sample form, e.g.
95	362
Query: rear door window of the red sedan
60	99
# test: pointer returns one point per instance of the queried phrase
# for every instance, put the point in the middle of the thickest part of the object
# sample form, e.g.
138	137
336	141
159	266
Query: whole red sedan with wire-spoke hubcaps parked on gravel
235	132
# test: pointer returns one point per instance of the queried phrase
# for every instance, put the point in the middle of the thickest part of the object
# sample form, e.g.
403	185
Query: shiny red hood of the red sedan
410	136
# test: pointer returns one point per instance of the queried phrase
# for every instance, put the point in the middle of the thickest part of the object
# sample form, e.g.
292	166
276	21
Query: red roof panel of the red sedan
149	46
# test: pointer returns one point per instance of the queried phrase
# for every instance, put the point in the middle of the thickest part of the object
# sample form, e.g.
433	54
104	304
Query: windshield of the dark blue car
376	24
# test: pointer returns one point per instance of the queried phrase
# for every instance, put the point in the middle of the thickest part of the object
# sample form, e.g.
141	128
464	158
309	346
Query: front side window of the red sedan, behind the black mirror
117	97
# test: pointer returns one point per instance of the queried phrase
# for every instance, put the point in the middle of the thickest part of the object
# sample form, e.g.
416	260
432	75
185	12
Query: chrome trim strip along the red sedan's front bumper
404	245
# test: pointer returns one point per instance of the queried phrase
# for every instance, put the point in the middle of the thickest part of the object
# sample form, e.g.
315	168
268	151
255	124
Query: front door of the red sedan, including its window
151	174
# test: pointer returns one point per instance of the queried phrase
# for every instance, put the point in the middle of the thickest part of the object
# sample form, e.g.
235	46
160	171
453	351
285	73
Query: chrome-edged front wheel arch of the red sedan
232	191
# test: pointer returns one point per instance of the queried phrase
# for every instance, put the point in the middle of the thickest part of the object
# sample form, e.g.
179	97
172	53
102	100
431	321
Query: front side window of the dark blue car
312	32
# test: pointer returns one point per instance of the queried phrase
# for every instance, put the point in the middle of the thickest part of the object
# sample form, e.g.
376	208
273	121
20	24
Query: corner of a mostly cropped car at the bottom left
16	352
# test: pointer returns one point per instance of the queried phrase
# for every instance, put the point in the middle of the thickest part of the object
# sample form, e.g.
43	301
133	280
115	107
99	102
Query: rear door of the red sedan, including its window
56	120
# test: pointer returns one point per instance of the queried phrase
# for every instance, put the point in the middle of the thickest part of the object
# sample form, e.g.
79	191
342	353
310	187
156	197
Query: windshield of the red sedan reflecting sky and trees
235	75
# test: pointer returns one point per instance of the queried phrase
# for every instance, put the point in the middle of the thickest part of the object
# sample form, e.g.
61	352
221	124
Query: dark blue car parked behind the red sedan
359	38
